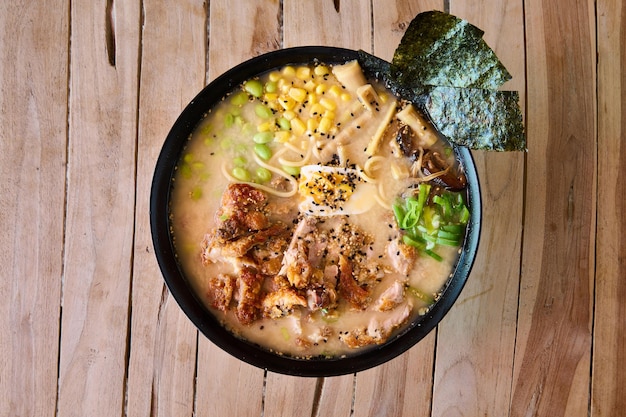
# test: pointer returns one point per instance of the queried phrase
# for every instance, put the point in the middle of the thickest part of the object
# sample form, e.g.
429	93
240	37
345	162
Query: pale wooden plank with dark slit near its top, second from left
100	207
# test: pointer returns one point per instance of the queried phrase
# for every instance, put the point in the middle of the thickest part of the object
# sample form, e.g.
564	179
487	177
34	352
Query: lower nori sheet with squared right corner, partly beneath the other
478	118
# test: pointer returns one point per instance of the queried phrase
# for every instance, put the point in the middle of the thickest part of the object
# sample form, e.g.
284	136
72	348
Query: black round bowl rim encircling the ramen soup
191	304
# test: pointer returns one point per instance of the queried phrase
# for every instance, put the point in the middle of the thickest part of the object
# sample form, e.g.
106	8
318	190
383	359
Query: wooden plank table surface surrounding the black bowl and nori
88	92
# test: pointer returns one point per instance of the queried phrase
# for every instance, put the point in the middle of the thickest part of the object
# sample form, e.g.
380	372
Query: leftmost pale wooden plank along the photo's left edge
34	43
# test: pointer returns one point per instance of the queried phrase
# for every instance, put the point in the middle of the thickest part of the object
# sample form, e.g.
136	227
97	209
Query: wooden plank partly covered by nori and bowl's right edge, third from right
475	343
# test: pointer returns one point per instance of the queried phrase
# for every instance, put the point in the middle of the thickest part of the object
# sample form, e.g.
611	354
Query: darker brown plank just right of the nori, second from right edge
552	359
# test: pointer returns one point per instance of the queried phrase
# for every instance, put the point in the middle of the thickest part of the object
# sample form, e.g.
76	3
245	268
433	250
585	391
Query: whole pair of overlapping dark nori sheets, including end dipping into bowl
448	72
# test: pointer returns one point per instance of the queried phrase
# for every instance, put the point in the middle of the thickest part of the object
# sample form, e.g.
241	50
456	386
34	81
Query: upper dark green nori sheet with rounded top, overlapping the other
439	49
